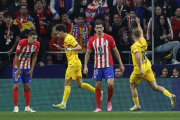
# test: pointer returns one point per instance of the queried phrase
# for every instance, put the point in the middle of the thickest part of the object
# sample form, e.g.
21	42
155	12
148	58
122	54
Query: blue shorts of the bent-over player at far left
25	78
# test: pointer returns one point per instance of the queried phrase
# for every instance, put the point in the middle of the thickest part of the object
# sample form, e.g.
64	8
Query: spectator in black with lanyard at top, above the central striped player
120	9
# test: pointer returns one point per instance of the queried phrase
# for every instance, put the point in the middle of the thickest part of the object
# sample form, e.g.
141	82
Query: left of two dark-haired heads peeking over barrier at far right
165	72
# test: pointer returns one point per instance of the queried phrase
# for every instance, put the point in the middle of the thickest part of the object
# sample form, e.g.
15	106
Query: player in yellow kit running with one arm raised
142	69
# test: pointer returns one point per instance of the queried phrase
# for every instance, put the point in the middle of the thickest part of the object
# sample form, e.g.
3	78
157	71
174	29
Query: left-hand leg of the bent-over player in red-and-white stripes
16	84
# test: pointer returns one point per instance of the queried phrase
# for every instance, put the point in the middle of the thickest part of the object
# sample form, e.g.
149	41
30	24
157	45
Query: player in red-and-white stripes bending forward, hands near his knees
22	68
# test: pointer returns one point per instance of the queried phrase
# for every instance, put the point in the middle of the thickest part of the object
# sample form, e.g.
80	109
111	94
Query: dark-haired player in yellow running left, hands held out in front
74	68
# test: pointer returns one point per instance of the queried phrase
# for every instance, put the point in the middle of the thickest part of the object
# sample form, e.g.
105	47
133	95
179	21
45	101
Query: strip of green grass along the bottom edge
89	115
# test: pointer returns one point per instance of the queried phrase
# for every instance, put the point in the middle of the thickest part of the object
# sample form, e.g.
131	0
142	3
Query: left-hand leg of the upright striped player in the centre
97	76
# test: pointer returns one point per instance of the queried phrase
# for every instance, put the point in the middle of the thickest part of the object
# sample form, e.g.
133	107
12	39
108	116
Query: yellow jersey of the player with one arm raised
141	47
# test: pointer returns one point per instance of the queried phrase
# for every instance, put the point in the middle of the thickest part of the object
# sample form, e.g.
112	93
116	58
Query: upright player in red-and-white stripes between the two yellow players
102	43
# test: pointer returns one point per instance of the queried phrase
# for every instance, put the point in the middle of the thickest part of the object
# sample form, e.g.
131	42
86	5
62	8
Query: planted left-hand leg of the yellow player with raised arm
134	81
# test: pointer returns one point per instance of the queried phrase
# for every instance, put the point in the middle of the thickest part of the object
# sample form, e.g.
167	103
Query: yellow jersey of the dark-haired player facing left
72	56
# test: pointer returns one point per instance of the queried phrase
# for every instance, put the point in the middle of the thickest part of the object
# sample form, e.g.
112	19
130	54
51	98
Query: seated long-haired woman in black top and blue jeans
162	37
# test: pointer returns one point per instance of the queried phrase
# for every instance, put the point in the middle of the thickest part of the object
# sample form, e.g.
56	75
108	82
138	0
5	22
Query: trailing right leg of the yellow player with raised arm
150	79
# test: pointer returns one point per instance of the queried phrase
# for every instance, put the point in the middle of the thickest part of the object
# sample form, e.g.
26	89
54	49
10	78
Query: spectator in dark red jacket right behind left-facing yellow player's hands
57	58
